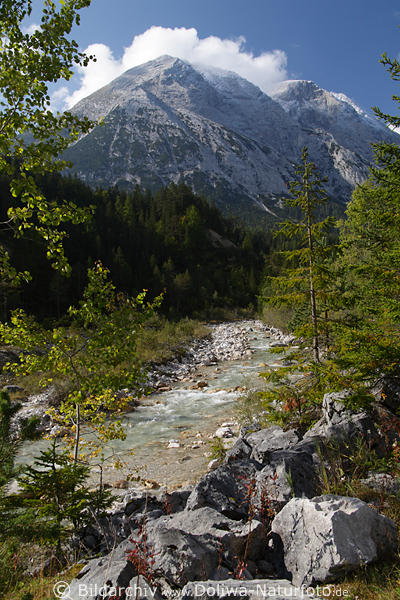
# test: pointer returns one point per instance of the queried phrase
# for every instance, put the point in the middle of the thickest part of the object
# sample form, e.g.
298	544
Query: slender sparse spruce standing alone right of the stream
304	283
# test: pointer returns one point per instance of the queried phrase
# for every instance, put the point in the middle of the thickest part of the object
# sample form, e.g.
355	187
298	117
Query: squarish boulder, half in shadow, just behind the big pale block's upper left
289	473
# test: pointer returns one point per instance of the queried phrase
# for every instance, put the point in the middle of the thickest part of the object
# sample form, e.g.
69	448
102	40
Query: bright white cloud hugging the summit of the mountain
265	70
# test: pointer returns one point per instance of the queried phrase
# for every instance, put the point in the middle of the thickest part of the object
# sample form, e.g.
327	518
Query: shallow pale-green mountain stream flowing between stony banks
168	434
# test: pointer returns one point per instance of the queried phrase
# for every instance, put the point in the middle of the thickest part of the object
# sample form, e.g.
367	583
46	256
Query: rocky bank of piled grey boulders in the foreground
266	517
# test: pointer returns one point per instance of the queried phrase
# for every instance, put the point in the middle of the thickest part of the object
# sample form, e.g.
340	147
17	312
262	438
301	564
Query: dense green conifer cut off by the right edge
367	341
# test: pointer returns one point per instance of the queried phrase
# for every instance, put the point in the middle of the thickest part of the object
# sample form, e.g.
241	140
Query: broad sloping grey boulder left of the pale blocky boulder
186	546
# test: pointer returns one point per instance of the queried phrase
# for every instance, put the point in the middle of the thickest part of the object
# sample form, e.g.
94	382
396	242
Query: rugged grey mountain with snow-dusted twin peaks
167	121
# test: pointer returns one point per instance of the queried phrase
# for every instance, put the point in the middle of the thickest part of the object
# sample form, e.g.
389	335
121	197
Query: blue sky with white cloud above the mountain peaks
337	43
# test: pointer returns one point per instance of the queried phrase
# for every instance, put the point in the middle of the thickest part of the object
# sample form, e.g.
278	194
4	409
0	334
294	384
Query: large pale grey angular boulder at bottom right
330	535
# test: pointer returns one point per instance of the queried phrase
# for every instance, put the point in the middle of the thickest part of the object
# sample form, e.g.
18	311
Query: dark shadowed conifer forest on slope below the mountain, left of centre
173	240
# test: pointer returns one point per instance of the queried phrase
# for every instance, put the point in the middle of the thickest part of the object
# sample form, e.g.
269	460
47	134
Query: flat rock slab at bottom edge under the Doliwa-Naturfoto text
232	589
